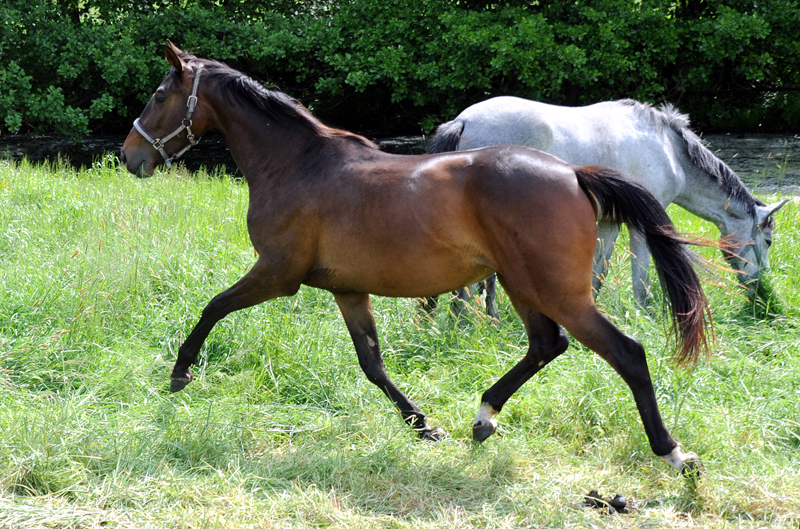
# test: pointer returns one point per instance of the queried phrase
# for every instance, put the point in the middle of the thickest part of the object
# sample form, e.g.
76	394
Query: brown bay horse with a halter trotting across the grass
328	209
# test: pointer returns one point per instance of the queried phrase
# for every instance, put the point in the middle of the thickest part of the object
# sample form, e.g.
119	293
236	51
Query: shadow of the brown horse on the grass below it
388	478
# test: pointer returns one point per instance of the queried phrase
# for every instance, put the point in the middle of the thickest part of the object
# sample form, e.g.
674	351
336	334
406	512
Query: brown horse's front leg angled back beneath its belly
357	313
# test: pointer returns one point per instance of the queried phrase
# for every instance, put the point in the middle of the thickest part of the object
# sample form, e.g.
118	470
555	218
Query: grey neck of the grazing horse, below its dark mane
704	197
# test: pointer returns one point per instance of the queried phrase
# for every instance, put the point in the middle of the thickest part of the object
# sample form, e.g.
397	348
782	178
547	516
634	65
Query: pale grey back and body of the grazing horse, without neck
612	133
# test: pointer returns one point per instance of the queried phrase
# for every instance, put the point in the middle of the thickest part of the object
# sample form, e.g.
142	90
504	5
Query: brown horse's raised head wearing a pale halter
173	120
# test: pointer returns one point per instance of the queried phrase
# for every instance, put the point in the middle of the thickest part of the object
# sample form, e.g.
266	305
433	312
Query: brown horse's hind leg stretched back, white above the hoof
626	355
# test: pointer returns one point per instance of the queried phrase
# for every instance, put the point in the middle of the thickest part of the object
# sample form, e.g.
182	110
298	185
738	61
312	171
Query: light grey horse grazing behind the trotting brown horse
655	148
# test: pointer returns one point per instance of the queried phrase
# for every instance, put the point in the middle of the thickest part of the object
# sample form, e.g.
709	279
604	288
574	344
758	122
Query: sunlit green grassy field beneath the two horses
102	275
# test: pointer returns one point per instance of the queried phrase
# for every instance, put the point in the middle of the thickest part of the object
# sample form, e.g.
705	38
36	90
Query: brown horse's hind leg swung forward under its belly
546	341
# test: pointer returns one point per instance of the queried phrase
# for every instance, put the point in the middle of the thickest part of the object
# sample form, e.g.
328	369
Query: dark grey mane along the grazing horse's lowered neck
724	176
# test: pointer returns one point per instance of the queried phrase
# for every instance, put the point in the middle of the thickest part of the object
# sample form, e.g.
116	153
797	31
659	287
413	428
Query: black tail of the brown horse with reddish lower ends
620	200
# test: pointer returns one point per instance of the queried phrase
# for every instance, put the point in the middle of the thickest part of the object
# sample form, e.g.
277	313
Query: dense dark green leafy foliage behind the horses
71	66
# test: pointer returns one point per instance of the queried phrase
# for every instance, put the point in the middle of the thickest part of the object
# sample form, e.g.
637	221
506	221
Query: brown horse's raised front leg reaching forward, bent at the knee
257	286
